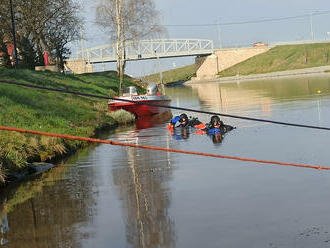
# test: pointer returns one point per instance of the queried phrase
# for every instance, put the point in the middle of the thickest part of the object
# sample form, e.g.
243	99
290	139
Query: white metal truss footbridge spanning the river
148	49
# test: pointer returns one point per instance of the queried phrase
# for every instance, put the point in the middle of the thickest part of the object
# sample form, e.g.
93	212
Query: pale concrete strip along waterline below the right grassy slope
279	74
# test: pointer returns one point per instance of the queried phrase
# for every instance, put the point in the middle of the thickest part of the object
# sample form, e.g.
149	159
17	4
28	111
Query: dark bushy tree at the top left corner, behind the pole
46	25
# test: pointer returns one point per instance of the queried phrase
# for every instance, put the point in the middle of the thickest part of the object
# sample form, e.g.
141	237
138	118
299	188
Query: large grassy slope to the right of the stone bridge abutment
283	58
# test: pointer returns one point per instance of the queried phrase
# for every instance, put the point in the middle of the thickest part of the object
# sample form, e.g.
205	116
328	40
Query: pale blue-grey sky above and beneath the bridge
233	23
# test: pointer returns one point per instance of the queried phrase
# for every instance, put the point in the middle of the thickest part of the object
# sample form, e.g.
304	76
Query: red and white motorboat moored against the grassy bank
135	102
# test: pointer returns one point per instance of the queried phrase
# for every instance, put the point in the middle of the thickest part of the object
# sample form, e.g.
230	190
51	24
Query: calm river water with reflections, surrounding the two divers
109	196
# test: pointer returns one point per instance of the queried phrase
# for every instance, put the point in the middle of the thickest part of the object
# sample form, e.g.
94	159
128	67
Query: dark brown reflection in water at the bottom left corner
43	213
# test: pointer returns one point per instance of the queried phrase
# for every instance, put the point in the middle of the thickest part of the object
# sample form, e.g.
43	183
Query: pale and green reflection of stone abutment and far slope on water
261	94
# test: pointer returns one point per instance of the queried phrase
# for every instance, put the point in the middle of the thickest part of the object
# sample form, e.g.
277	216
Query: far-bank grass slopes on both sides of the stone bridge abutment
280	58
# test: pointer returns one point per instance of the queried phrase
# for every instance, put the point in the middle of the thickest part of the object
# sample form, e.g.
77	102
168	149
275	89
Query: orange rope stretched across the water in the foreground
111	142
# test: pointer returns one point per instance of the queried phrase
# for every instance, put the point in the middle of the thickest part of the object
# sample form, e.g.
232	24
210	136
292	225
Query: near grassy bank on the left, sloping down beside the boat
51	112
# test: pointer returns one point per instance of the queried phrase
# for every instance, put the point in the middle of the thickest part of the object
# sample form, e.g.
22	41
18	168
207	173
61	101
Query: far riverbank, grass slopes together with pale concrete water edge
279	61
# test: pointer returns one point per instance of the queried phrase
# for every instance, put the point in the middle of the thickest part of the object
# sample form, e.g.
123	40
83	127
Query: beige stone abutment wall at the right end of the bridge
208	67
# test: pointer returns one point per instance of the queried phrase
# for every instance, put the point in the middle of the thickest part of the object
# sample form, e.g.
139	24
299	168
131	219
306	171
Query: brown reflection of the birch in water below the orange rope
146	199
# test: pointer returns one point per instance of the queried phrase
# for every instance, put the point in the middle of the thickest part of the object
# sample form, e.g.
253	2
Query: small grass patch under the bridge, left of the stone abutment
175	75
